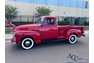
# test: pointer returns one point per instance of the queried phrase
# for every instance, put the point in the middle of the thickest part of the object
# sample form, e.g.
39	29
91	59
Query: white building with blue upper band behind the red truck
72	10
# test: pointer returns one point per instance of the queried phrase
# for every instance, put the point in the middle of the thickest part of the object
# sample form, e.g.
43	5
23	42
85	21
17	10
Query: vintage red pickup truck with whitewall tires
46	28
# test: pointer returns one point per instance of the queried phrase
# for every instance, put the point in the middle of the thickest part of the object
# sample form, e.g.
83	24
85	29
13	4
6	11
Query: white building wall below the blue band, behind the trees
29	9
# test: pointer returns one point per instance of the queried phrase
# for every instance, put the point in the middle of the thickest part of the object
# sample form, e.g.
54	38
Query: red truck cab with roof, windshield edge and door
48	27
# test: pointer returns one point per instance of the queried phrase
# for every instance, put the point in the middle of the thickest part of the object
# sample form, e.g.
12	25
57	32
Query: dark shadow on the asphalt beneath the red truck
47	44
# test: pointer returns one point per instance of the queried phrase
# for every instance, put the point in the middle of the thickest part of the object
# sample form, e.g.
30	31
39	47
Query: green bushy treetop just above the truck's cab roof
42	11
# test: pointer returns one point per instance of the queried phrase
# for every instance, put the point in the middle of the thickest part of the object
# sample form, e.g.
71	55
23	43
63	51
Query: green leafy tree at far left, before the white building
10	12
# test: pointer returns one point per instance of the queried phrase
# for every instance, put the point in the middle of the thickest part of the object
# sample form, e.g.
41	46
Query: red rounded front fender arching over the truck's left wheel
23	34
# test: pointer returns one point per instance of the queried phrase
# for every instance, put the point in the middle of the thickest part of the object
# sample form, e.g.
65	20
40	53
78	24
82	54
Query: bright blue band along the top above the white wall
66	3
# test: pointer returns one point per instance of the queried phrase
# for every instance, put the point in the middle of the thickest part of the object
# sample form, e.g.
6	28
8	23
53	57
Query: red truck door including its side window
49	29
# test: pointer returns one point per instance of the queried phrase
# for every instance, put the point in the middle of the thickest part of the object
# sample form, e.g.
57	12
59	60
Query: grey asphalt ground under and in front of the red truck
49	52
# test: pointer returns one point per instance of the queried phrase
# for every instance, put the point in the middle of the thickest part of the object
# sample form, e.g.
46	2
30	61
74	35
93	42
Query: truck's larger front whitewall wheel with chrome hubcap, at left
27	43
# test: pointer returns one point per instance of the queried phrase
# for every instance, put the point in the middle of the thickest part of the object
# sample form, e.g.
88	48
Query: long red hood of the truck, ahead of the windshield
28	27
